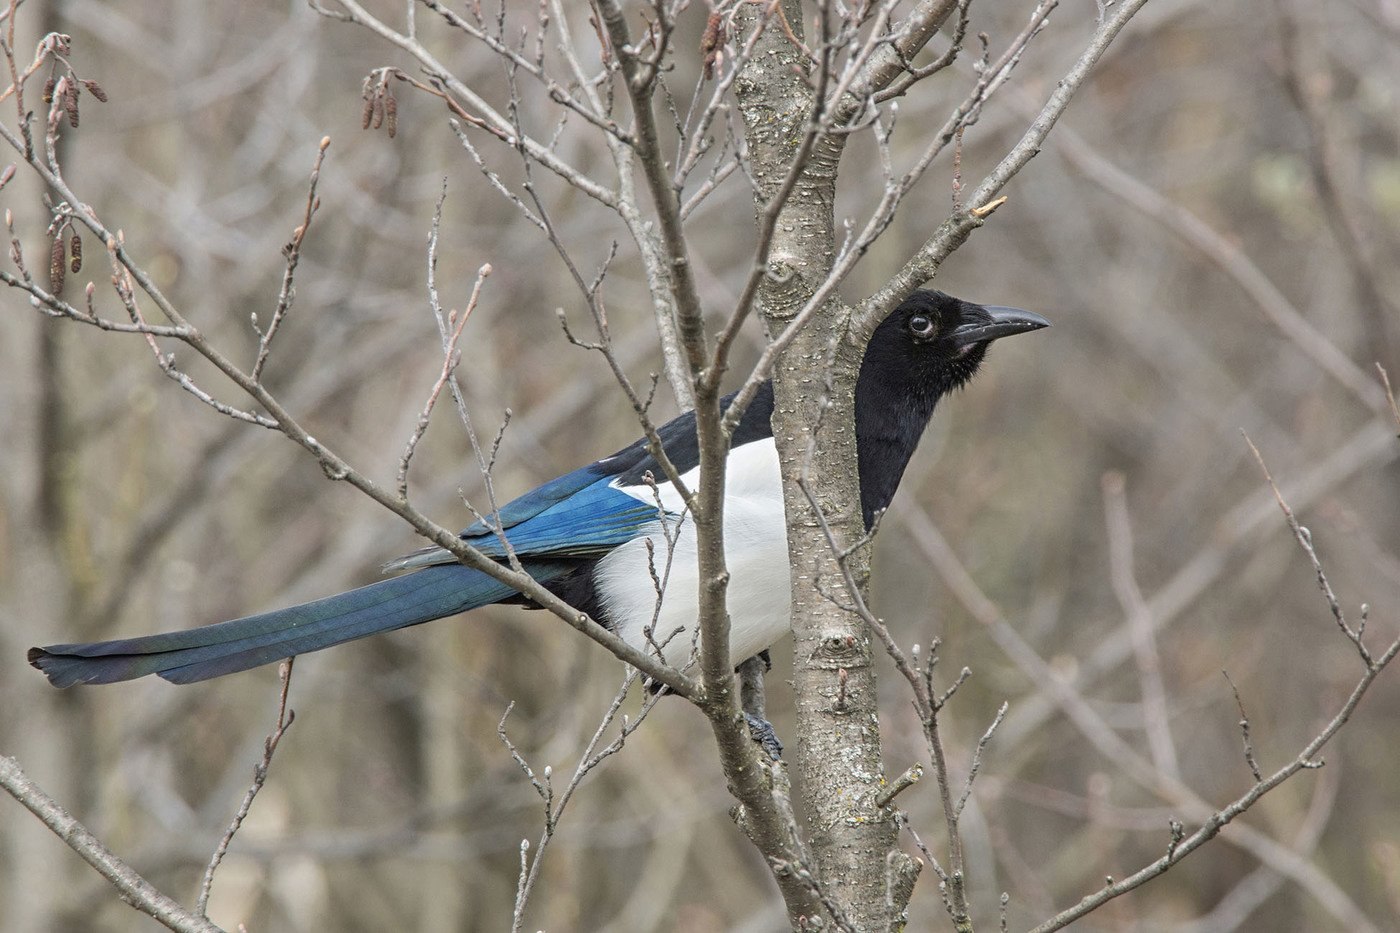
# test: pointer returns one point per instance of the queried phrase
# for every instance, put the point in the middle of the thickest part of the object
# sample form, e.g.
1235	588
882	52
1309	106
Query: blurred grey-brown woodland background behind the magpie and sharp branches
1213	232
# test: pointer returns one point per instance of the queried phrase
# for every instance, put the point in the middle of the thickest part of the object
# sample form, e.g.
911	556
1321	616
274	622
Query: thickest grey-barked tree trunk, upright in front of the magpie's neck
838	750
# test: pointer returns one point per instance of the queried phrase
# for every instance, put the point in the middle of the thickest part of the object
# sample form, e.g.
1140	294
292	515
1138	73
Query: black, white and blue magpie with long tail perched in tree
586	534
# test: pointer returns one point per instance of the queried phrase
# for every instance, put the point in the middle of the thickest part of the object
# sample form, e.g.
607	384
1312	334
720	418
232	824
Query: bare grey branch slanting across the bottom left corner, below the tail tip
134	889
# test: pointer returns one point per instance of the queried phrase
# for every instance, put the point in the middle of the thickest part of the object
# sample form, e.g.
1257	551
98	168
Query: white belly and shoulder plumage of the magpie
755	540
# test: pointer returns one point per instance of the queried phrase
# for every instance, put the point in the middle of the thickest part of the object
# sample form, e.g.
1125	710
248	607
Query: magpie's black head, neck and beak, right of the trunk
929	347
